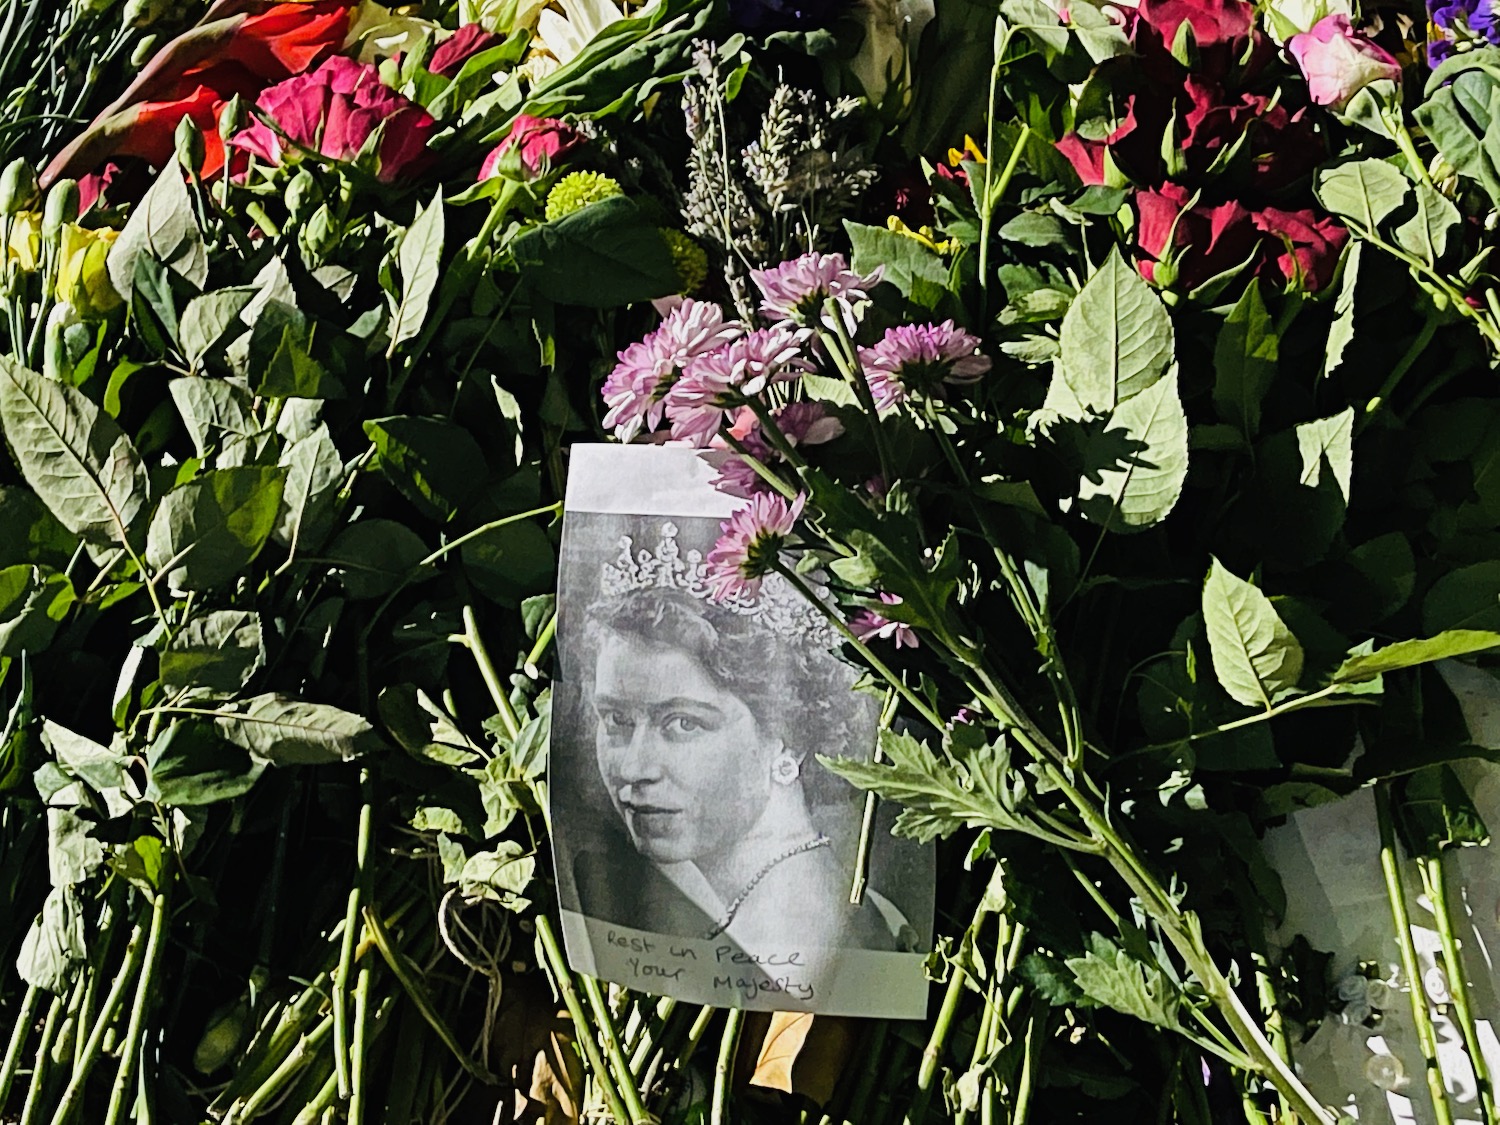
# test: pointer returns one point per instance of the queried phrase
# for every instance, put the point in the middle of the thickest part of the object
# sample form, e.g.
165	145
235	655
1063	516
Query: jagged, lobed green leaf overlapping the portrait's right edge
976	788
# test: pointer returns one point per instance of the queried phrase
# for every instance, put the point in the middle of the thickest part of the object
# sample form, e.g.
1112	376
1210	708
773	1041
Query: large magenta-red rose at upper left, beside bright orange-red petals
335	112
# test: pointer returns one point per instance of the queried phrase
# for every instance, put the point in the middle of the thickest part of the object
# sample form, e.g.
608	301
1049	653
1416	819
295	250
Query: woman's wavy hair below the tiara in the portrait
796	691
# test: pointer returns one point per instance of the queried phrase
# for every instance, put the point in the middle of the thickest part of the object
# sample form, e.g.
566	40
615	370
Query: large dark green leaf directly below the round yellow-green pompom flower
605	256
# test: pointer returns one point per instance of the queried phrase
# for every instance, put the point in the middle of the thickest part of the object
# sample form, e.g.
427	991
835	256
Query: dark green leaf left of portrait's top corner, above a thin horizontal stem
436	464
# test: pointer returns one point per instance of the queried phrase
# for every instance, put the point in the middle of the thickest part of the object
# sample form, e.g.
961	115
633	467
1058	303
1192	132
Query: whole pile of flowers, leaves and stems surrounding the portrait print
1129	371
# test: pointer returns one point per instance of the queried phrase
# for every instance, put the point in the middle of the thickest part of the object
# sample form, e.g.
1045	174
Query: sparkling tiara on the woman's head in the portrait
779	607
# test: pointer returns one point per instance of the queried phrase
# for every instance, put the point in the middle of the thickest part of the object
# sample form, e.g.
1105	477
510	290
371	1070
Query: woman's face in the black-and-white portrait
685	761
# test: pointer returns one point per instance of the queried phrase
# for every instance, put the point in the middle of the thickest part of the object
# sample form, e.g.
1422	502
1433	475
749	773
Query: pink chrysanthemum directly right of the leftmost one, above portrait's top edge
718	382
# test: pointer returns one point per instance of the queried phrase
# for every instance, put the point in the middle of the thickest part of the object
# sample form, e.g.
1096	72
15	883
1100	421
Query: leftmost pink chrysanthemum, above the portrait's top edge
647	370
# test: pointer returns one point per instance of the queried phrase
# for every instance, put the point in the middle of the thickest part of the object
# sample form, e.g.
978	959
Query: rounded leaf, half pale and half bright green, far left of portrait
208	532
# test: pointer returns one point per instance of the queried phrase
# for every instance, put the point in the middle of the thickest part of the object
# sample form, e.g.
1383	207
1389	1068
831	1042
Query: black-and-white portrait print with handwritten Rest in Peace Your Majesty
703	851
